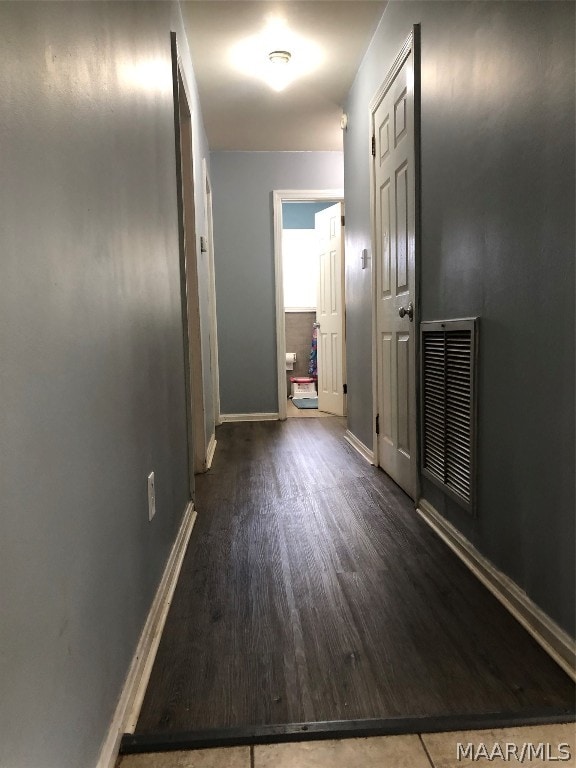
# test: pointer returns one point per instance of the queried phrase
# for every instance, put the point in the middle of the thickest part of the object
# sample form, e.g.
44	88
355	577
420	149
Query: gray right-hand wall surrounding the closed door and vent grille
498	242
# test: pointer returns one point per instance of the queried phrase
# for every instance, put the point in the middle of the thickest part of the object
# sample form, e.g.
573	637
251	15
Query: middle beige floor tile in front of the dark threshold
374	752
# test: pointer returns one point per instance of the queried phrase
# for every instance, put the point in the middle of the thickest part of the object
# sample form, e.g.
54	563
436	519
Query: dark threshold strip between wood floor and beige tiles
336	729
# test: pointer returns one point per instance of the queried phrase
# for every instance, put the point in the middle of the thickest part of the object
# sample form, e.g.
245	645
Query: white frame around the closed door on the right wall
411	44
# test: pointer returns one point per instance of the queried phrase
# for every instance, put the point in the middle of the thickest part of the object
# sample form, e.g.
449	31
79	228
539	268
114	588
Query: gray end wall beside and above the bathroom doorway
244	258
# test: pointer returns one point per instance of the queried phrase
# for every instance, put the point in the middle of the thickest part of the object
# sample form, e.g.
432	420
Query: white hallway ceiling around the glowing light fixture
243	113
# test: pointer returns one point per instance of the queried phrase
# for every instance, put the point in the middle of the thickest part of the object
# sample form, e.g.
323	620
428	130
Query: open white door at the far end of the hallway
330	311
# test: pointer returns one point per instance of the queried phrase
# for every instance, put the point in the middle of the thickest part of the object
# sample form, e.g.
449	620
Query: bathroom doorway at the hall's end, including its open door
302	292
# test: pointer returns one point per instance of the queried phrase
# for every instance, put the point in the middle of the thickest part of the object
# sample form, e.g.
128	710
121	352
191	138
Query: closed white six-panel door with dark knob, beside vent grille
394	210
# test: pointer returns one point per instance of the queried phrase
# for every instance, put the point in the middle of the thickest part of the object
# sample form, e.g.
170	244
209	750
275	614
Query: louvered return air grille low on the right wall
448	350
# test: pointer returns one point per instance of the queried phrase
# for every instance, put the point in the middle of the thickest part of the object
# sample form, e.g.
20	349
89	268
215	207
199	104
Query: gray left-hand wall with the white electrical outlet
91	362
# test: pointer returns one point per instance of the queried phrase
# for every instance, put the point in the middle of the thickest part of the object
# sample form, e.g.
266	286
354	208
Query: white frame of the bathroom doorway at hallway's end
279	196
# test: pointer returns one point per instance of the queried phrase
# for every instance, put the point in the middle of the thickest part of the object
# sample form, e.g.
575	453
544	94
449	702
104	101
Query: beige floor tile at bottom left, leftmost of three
228	757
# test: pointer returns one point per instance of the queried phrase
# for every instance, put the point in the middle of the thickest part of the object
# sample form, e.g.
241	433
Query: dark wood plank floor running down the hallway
312	591
